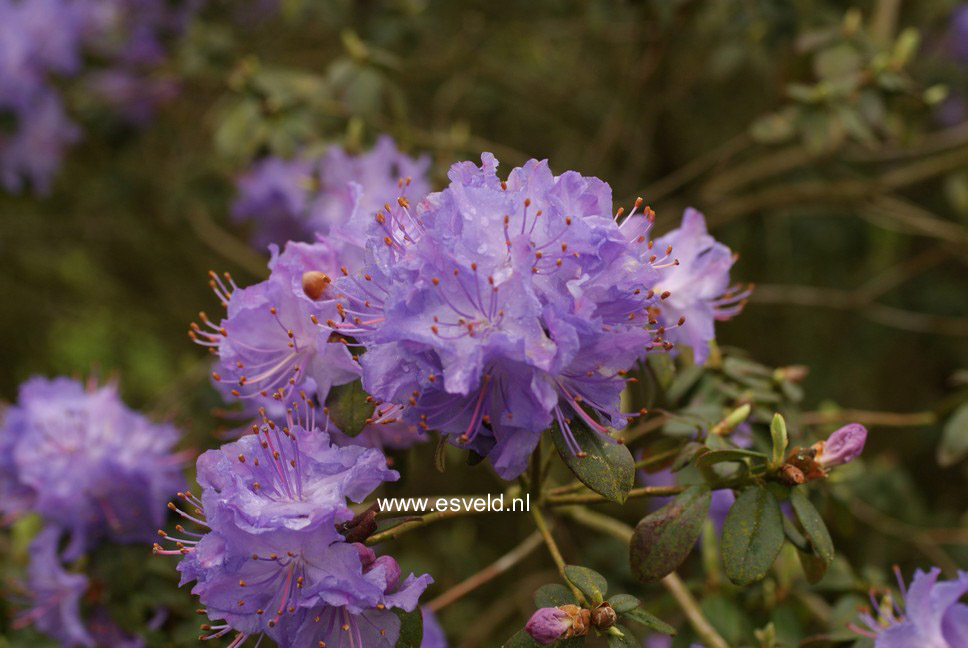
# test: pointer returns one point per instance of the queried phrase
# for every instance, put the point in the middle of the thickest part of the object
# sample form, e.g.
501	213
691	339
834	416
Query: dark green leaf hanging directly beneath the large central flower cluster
607	468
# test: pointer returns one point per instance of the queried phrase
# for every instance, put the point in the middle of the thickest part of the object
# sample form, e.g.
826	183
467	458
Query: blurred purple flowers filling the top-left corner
42	41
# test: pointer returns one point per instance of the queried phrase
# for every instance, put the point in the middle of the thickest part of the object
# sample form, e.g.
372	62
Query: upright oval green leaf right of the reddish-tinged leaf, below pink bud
752	535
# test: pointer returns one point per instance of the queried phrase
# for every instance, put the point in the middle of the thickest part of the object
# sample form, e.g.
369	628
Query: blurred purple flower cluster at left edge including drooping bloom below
93	469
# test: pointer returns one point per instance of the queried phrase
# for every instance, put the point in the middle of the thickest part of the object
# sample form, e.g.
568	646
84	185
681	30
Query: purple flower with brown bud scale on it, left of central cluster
275	339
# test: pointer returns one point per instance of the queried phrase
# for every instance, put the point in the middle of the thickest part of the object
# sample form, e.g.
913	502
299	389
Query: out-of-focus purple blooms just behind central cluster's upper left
330	196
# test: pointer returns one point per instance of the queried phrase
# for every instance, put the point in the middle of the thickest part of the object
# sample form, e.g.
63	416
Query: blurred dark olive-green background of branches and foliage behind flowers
812	133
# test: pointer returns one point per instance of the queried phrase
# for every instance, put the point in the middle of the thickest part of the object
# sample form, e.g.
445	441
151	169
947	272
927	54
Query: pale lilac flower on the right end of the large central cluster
699	284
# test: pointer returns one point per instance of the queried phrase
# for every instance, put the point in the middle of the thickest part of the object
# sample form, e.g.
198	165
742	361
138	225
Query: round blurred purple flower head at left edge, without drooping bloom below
87	463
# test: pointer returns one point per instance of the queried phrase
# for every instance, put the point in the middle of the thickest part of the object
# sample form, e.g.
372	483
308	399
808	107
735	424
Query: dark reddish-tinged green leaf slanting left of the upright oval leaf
663	539
